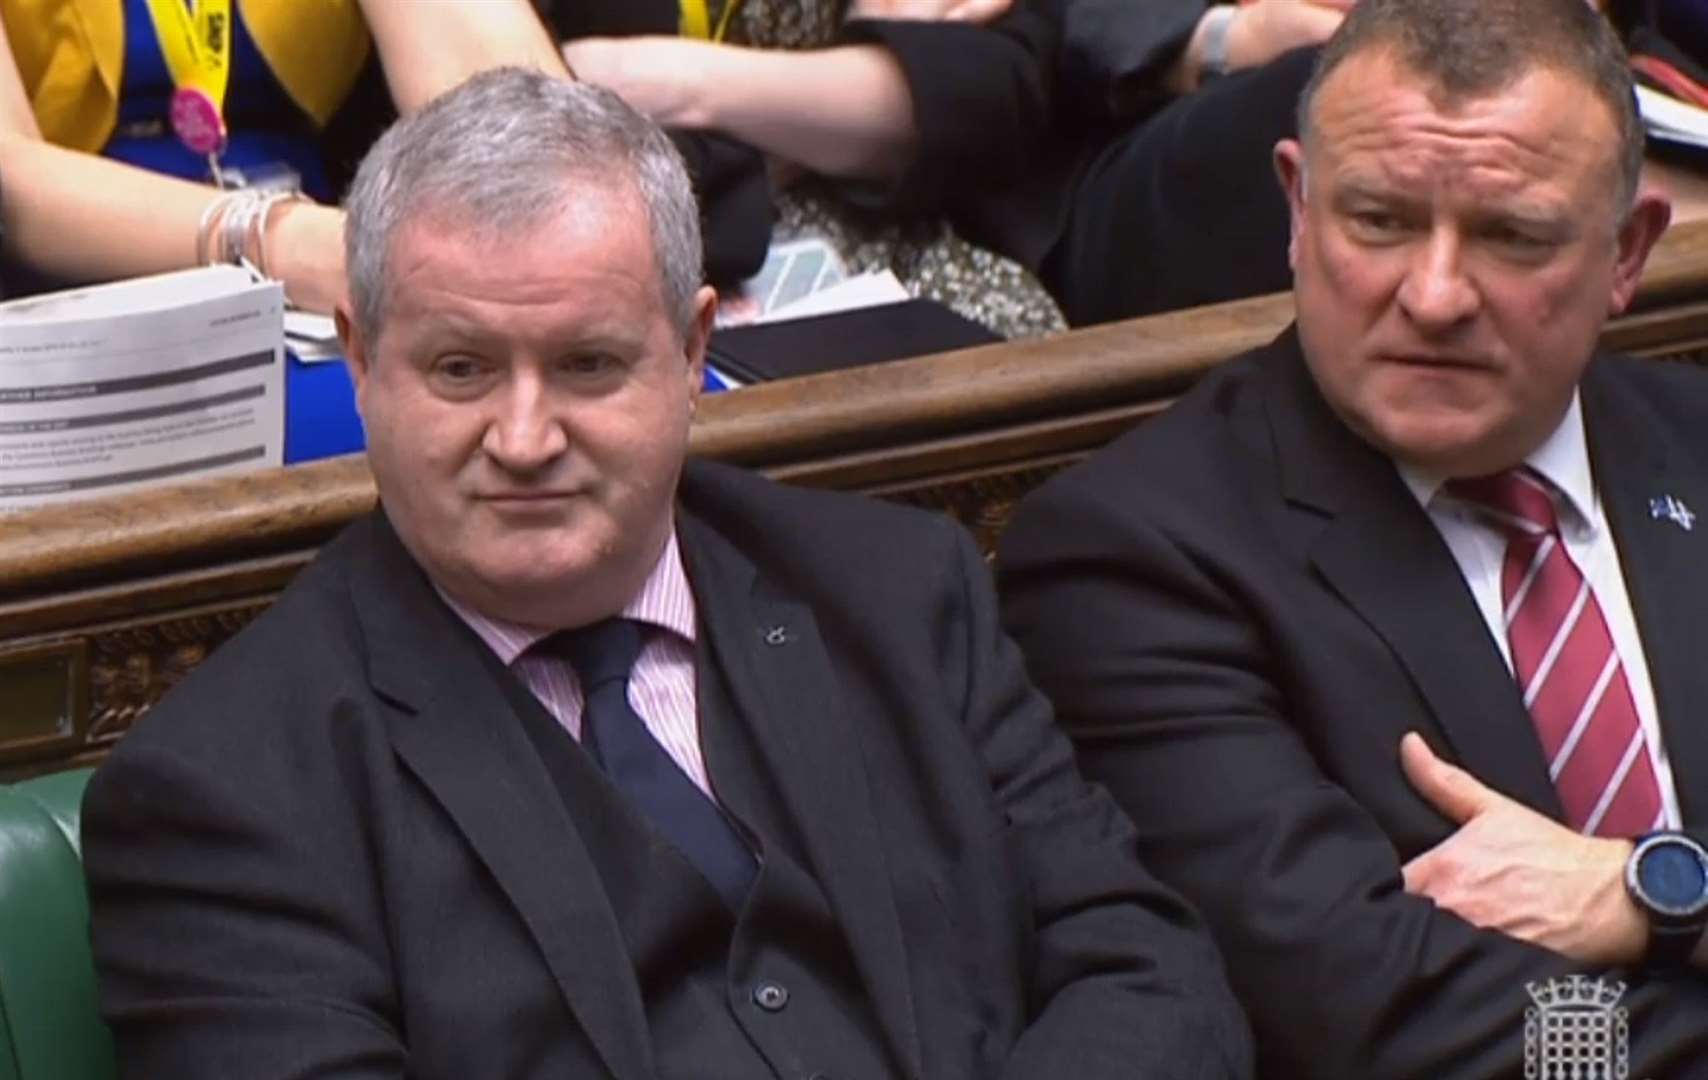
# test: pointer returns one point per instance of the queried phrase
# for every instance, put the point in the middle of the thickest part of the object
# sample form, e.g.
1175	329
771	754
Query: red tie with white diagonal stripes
1567	666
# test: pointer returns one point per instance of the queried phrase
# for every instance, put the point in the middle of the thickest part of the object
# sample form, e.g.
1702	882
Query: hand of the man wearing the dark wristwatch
1514	871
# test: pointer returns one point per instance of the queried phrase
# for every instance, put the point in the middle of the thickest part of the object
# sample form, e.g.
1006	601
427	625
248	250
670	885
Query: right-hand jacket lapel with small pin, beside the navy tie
783	686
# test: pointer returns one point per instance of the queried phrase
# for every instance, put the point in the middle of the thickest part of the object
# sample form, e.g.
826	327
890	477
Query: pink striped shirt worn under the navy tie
662	686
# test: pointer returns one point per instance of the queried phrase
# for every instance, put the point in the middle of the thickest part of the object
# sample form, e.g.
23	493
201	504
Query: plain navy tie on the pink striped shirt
619	741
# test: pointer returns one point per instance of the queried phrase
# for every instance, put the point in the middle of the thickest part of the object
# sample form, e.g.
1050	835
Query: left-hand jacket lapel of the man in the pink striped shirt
465	744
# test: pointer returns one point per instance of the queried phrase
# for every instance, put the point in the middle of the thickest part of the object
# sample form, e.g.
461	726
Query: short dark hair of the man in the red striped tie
1475	49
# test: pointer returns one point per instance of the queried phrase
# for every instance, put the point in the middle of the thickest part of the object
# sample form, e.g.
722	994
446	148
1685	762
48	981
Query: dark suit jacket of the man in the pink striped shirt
332	852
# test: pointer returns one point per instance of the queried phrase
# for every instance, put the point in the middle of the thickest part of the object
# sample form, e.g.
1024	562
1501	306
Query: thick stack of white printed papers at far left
143	382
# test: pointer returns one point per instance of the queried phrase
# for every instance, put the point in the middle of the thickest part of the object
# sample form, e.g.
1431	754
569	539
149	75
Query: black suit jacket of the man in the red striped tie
1239	611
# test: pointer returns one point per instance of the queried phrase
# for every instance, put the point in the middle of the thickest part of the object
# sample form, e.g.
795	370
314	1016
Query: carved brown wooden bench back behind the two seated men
107	604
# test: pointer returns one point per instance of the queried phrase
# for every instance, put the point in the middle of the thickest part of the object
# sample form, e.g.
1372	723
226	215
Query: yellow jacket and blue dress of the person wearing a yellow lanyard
98	81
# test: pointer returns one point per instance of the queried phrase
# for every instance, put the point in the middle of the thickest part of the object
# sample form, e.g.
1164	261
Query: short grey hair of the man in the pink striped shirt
503	153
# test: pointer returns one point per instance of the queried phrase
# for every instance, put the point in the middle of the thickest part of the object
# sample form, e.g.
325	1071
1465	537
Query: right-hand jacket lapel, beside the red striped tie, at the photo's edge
1663	565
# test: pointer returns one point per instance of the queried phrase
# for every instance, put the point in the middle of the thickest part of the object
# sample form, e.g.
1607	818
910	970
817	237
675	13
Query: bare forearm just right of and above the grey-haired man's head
841	112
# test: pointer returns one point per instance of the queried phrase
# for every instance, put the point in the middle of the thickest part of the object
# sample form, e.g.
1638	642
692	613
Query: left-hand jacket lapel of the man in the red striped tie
1384	558
